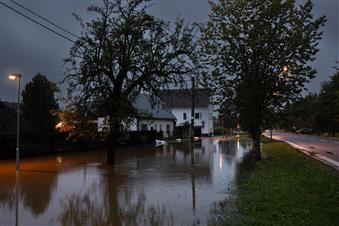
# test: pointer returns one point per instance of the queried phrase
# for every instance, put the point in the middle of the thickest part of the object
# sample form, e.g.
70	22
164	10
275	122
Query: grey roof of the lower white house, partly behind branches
148	110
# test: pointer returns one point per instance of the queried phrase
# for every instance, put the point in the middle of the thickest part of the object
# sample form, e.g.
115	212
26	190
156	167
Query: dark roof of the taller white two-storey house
182	98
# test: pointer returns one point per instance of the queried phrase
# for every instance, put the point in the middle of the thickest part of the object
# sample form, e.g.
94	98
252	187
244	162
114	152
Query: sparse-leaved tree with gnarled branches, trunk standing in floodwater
122	52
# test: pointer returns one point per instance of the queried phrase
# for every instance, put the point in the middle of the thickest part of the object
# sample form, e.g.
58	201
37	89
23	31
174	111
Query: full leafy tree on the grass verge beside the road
260	51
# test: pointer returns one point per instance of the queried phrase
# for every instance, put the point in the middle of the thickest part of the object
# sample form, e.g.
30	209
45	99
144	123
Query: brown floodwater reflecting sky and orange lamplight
168	185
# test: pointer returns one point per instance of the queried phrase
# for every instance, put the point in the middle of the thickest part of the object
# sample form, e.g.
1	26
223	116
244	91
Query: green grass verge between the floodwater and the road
289	189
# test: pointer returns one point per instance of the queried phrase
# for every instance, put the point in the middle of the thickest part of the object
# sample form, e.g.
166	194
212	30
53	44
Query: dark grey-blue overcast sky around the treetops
27	48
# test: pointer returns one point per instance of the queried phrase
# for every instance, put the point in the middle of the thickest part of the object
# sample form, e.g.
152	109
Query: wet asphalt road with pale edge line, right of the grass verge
323	148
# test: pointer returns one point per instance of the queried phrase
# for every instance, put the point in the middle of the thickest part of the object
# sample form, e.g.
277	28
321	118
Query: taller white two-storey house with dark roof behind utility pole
179	102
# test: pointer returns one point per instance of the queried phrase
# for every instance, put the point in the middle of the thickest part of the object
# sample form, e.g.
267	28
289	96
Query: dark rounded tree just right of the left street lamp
38	102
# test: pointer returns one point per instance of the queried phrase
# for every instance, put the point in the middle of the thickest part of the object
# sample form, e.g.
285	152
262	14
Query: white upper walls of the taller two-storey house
206	116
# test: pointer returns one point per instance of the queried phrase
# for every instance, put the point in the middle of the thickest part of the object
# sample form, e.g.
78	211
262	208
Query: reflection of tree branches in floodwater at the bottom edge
88	210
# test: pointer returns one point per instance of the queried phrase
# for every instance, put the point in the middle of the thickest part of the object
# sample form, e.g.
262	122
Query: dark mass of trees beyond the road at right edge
317	111
